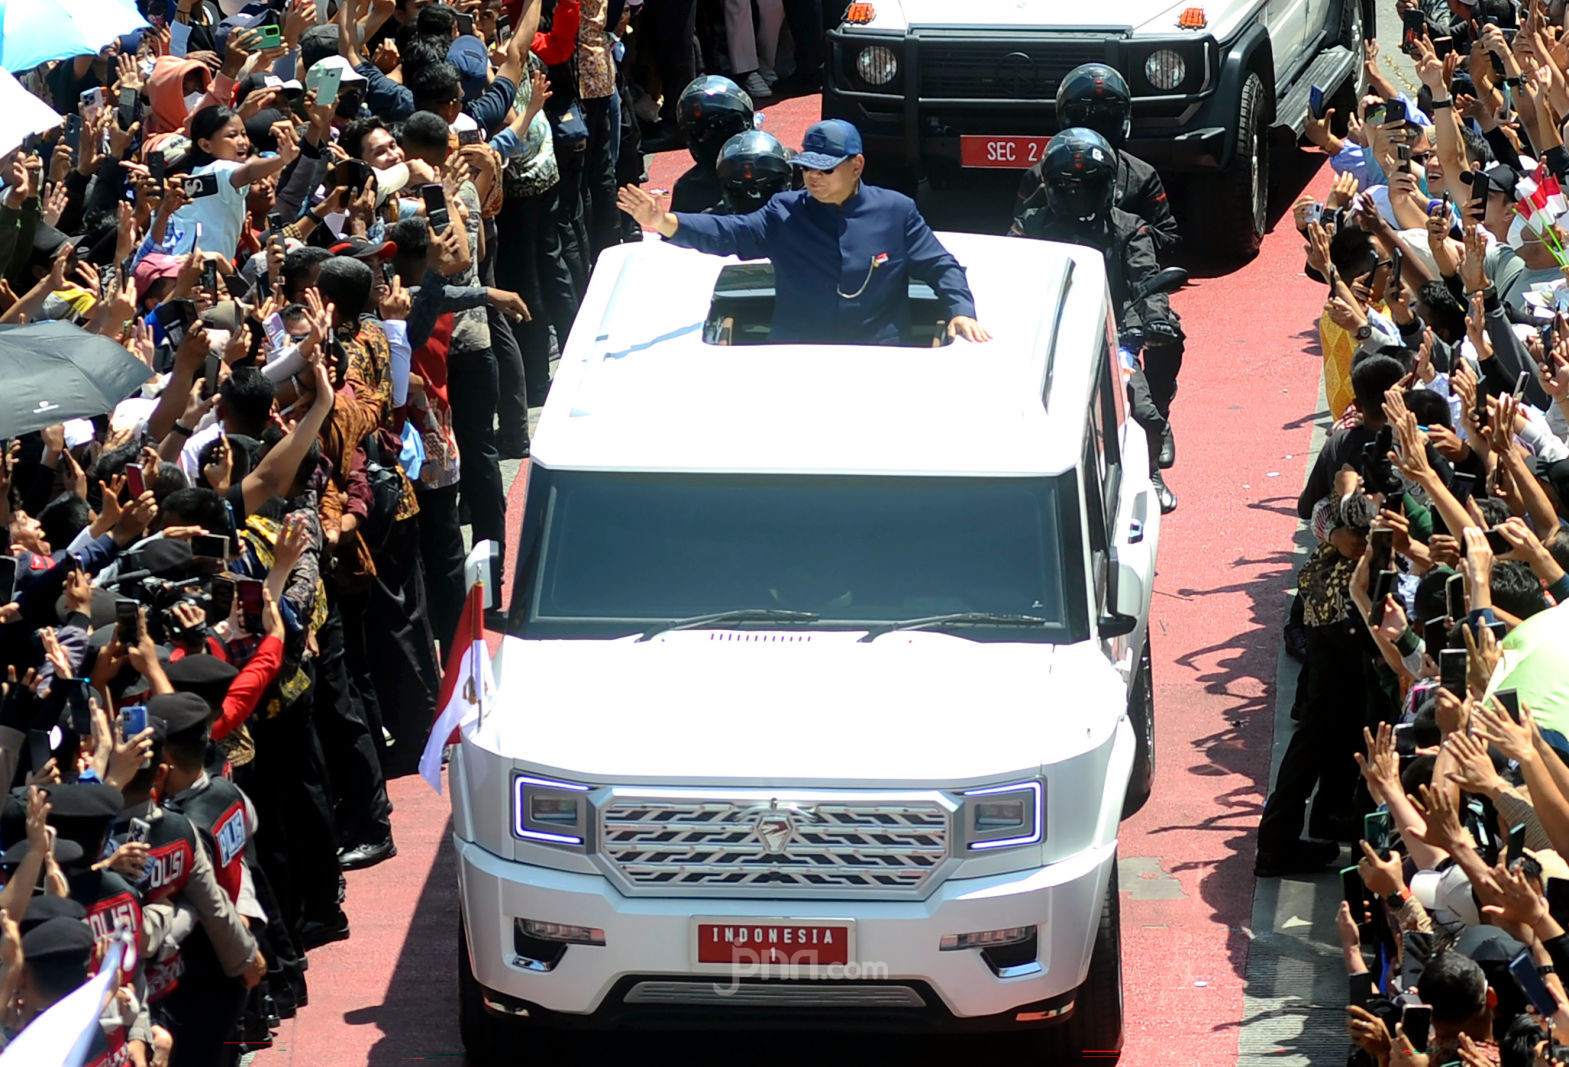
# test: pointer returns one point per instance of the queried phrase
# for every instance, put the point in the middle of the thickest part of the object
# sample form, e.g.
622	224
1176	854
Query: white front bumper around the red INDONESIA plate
646	972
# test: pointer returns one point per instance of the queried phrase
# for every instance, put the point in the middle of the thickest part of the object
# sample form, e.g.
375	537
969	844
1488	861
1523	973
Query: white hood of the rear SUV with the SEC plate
1121	16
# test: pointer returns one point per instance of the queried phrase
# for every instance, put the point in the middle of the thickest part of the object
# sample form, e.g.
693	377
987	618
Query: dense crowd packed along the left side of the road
338	250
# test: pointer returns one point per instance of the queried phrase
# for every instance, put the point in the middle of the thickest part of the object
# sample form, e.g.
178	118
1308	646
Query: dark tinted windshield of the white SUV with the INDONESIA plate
616	553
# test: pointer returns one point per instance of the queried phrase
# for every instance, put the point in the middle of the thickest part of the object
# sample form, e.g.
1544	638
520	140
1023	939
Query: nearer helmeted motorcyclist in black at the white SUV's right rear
1080	175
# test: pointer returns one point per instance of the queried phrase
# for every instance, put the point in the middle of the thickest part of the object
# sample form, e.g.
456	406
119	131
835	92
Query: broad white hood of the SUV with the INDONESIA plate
807	708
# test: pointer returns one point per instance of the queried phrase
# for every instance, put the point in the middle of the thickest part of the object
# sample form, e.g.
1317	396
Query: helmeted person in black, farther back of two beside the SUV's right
1096	98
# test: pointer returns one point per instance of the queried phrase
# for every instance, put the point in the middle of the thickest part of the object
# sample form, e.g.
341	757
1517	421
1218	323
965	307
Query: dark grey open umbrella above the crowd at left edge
54	371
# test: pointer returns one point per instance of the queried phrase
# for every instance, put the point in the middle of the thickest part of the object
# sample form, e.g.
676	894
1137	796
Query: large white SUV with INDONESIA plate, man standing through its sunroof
828	680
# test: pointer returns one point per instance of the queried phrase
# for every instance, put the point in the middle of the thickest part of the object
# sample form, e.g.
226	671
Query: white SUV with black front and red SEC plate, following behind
937	86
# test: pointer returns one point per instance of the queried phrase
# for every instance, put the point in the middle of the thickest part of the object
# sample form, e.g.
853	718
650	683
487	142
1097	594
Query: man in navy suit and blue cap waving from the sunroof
843	252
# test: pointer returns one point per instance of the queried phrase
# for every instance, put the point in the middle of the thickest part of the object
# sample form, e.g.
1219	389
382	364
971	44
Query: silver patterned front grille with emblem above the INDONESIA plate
821	847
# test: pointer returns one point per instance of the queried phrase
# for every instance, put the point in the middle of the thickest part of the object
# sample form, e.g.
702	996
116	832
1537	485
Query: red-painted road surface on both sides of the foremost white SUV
1243	420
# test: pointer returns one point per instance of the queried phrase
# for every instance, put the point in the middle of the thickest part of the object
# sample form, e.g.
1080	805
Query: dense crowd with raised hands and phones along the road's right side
1432	719
